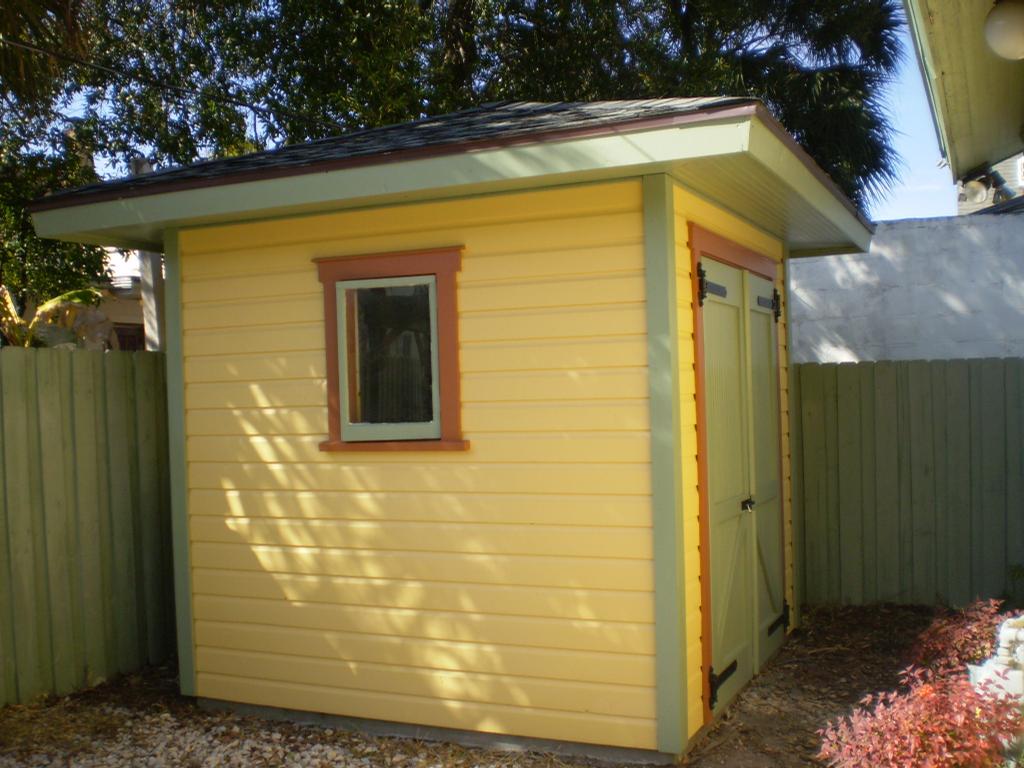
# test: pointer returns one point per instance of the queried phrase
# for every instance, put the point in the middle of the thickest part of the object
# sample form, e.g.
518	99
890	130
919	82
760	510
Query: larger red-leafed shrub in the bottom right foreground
934	722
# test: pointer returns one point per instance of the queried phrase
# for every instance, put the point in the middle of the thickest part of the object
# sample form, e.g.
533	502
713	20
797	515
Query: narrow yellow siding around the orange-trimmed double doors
691	208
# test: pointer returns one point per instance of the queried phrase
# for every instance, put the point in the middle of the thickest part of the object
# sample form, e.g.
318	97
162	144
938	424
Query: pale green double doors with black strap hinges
745	499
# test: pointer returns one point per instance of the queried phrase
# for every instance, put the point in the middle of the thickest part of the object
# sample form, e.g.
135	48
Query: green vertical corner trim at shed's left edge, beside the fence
177	440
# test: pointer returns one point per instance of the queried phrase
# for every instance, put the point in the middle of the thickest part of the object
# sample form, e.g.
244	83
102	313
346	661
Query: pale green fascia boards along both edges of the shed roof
141	222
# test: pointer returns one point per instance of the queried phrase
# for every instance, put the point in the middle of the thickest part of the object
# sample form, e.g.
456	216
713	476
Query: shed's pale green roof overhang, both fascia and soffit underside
739	158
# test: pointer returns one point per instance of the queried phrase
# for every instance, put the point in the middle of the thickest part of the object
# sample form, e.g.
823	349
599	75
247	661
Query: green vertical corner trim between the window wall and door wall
663	362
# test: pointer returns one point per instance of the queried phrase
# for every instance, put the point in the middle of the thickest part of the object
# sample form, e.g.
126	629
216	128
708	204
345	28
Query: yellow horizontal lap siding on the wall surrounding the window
507	589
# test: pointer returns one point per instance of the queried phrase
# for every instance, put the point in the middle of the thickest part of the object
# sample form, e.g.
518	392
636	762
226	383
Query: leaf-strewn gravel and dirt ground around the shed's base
827	667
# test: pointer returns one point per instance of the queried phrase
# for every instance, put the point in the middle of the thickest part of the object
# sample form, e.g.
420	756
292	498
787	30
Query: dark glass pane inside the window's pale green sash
391	355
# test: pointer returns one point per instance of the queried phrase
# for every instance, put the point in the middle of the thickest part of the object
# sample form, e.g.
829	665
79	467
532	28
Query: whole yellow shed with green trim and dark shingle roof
481	422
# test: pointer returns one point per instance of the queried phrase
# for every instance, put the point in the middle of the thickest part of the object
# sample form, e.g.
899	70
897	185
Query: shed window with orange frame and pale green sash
392	334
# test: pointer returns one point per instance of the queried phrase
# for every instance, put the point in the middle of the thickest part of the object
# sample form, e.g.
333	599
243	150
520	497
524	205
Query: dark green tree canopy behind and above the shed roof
183	80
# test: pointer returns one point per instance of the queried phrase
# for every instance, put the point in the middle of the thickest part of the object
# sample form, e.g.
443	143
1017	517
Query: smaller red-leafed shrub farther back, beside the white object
959	638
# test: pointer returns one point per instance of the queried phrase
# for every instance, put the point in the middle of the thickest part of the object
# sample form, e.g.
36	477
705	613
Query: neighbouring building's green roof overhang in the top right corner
977	99
